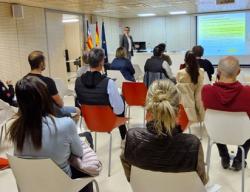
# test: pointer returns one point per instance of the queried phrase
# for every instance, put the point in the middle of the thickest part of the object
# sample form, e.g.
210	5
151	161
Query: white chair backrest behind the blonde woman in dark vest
149	181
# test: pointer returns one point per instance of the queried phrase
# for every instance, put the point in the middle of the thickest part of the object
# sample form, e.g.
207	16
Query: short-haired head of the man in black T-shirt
36	59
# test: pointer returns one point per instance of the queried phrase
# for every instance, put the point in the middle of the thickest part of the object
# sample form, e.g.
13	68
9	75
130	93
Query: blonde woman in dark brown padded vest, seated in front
162	146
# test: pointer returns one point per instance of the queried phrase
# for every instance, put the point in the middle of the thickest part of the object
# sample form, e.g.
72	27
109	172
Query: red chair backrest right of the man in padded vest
134	93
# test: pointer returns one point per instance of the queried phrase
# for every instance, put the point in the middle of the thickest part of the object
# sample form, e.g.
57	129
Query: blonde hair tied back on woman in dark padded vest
162	102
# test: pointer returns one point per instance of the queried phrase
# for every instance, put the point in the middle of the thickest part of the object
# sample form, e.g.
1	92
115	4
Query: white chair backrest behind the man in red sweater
224	127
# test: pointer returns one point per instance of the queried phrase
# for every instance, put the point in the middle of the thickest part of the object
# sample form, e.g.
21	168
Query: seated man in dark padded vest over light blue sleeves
94	88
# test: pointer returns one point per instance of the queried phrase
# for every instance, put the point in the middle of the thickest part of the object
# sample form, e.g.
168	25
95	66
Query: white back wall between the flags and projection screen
178	32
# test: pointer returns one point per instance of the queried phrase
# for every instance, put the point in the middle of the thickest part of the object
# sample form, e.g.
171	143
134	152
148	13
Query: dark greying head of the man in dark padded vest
96	57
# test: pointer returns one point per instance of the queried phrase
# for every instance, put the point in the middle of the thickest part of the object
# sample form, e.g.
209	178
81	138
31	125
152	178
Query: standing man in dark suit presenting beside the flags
127	42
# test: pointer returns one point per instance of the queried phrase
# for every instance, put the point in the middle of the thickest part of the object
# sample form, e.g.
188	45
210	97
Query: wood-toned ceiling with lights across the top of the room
130	8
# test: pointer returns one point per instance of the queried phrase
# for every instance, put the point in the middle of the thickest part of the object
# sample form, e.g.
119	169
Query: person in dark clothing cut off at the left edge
7	93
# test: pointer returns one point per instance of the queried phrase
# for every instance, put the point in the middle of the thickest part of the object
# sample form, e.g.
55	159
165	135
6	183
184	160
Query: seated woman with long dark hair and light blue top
37	133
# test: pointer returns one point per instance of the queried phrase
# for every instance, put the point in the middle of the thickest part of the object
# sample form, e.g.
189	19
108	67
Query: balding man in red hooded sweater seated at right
228	94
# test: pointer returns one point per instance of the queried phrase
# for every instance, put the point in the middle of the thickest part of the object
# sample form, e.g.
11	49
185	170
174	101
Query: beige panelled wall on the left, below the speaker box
18	37
